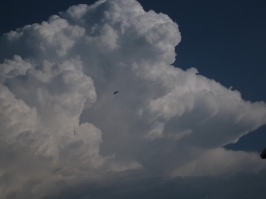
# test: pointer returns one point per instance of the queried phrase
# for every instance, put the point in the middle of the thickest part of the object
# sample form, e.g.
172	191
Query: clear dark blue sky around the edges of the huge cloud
225	40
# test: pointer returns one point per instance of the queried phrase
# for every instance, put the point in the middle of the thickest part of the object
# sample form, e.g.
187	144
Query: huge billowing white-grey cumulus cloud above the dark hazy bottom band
61	124
